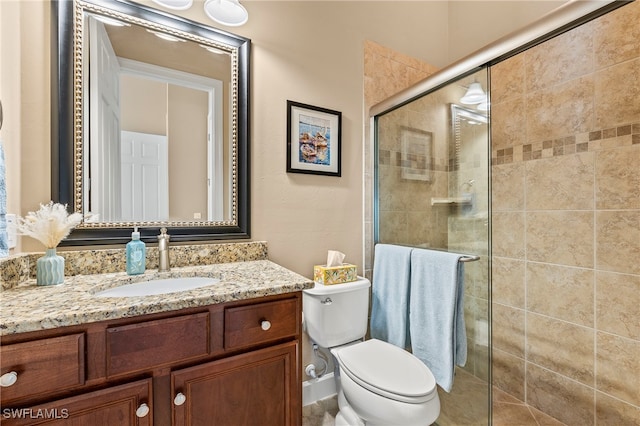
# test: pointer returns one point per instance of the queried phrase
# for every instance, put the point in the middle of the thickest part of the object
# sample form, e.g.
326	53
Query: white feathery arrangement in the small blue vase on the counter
49	225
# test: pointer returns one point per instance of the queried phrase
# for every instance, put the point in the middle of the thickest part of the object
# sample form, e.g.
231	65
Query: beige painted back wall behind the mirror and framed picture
300	216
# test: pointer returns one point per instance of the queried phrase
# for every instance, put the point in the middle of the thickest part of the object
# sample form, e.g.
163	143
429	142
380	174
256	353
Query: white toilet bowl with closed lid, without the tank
386	385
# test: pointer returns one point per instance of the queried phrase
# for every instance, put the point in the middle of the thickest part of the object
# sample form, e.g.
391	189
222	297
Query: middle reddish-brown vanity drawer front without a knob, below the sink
149	344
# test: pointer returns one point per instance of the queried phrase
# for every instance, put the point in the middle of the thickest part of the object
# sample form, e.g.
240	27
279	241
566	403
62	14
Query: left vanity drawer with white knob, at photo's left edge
43	366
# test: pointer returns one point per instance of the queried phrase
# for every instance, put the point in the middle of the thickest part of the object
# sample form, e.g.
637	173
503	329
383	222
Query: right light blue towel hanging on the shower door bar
436	313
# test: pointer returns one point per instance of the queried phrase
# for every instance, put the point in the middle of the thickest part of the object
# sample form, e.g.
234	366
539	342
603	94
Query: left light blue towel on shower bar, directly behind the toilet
390	294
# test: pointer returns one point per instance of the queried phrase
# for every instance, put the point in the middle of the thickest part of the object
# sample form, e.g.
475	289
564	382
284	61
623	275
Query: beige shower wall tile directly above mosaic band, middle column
560	111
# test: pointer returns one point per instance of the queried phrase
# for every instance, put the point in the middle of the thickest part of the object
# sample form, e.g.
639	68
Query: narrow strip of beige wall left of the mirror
24	89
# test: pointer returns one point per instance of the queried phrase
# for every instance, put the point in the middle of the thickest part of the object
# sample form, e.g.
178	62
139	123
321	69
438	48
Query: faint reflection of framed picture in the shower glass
415	154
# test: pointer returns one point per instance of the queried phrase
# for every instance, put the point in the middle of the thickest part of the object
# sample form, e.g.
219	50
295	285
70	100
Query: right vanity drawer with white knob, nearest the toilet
260	323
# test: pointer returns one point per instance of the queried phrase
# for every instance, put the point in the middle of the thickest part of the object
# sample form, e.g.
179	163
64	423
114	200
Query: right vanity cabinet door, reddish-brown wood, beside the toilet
257	388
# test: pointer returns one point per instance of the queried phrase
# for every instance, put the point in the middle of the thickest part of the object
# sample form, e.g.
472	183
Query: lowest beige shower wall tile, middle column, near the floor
560	397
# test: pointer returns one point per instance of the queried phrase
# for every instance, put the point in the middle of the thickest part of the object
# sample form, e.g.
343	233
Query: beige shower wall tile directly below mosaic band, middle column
560	183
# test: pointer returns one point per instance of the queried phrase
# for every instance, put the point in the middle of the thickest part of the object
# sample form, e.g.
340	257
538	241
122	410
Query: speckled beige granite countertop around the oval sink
29	307
